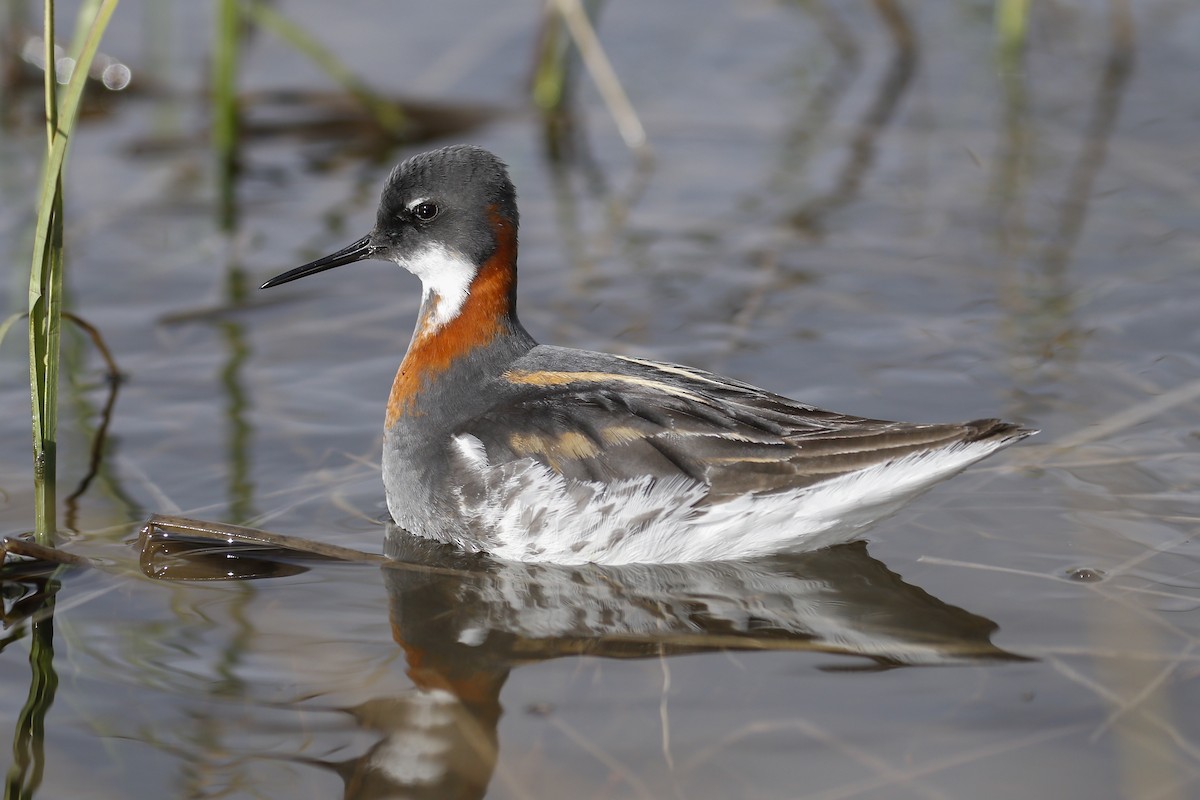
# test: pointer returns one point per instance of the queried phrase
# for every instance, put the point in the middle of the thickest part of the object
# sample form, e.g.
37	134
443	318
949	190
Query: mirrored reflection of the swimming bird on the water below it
466	622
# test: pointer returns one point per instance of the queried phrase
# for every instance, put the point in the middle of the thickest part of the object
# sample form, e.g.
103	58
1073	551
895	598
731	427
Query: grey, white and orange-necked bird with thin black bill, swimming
495	443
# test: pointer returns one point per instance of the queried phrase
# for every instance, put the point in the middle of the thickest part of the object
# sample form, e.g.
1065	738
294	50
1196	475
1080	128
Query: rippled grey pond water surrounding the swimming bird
857	207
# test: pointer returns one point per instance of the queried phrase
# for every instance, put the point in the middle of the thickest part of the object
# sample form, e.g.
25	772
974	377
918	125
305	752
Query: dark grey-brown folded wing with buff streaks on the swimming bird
731	437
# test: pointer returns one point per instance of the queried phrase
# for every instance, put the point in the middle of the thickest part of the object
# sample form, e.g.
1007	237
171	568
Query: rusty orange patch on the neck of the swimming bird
483	317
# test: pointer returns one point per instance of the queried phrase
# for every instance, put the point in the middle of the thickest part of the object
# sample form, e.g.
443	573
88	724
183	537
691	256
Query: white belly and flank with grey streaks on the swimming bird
527	513
